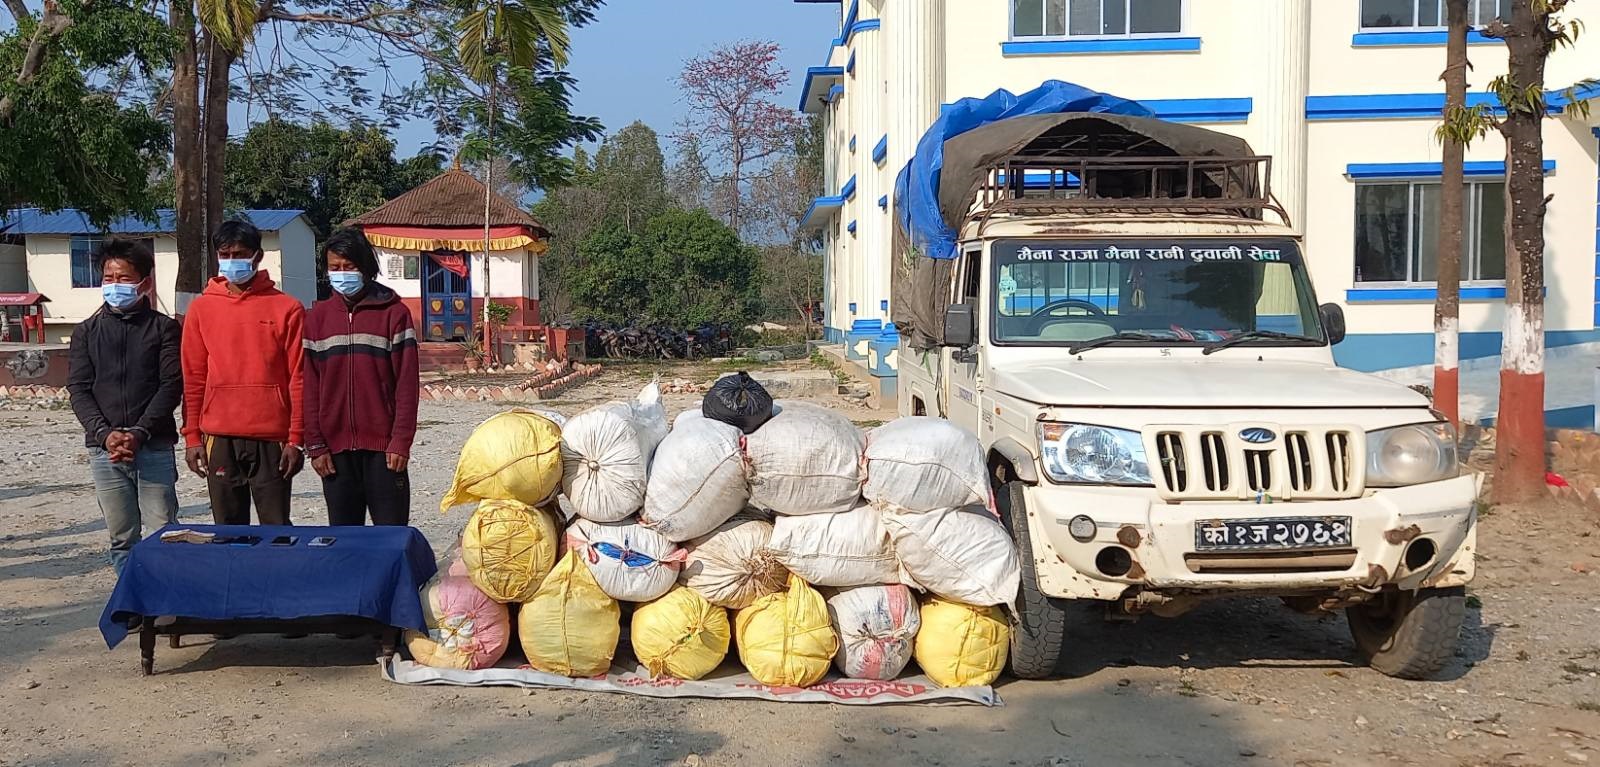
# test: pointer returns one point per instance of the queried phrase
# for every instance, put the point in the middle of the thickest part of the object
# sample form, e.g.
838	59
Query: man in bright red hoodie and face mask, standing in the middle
242	385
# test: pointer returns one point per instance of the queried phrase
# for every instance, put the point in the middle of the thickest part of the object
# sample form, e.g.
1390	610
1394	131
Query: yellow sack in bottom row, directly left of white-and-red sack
786	640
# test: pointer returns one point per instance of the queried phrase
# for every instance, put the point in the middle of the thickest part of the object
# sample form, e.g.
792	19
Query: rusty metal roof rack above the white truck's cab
1046	187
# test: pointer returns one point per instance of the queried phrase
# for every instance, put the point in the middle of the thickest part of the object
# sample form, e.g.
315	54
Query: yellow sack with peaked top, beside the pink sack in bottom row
570	627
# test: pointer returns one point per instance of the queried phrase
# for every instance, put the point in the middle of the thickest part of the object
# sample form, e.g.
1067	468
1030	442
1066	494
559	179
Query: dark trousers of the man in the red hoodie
241	472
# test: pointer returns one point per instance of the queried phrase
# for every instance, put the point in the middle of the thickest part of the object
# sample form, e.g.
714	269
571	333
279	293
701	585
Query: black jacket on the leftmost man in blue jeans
126	375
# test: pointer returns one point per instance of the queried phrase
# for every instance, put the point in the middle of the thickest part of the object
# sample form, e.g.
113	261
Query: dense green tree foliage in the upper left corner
70	145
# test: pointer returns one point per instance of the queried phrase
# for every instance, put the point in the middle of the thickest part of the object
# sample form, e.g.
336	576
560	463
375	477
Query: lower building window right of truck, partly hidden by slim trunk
1398	233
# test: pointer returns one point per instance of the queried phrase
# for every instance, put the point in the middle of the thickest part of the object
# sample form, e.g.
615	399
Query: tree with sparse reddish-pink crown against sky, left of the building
730	95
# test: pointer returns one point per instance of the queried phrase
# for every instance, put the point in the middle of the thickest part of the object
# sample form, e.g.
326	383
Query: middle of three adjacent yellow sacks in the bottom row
681	635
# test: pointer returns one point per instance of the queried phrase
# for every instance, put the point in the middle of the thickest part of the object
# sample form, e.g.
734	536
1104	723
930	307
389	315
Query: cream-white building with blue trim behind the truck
1345	95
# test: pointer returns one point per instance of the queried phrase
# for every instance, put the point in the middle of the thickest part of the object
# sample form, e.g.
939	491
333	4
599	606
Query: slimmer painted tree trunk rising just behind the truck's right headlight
1452	217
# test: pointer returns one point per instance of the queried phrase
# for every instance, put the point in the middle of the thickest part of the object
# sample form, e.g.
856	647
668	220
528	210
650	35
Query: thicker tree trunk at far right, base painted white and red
1534	31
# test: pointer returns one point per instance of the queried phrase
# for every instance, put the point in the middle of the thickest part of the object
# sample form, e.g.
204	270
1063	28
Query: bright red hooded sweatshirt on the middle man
242	364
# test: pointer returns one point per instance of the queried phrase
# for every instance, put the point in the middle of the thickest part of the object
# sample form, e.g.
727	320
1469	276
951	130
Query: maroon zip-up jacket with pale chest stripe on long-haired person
361	375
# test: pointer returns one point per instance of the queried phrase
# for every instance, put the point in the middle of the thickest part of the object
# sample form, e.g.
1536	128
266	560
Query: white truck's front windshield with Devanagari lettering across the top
1142	294
